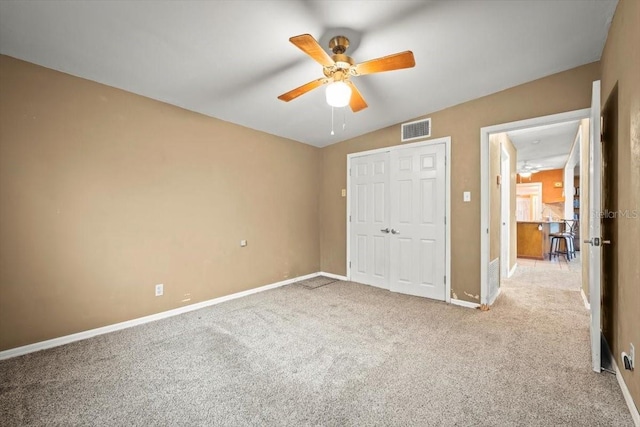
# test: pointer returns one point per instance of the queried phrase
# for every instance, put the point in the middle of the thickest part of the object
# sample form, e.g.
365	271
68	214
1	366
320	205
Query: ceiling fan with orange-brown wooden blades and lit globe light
339	68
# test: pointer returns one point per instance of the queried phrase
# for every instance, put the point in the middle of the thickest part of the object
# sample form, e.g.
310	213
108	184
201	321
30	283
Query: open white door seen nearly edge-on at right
595	239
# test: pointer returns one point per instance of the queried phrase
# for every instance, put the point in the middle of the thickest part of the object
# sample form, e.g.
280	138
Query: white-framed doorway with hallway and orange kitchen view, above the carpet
530	190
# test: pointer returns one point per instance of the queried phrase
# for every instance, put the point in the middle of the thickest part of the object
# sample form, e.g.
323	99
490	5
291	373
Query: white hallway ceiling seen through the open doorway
545	147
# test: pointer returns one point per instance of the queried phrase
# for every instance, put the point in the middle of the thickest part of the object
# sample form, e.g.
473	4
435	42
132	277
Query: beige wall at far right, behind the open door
621	65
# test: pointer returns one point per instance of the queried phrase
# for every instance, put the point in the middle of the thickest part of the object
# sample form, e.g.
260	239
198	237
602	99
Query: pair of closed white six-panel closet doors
397	219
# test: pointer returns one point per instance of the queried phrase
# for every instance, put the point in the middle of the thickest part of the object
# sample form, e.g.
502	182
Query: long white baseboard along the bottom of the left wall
42	345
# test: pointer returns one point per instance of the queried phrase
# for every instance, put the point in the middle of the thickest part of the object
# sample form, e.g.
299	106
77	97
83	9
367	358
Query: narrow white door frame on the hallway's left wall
505	209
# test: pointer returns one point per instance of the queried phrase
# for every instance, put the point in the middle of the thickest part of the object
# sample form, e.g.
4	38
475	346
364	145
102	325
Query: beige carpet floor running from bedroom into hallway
342	354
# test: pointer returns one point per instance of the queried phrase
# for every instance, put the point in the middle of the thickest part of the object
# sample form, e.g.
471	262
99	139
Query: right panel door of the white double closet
418	221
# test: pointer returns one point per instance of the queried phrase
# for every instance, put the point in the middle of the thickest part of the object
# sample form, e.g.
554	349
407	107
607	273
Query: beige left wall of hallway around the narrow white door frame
496	141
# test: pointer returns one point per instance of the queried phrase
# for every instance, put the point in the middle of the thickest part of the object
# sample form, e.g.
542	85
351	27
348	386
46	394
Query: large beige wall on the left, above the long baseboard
104	193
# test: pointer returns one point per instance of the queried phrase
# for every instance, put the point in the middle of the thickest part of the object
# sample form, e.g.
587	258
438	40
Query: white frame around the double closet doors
447	142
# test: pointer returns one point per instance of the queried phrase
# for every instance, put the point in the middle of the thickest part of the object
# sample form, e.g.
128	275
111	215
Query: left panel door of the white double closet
369	219
